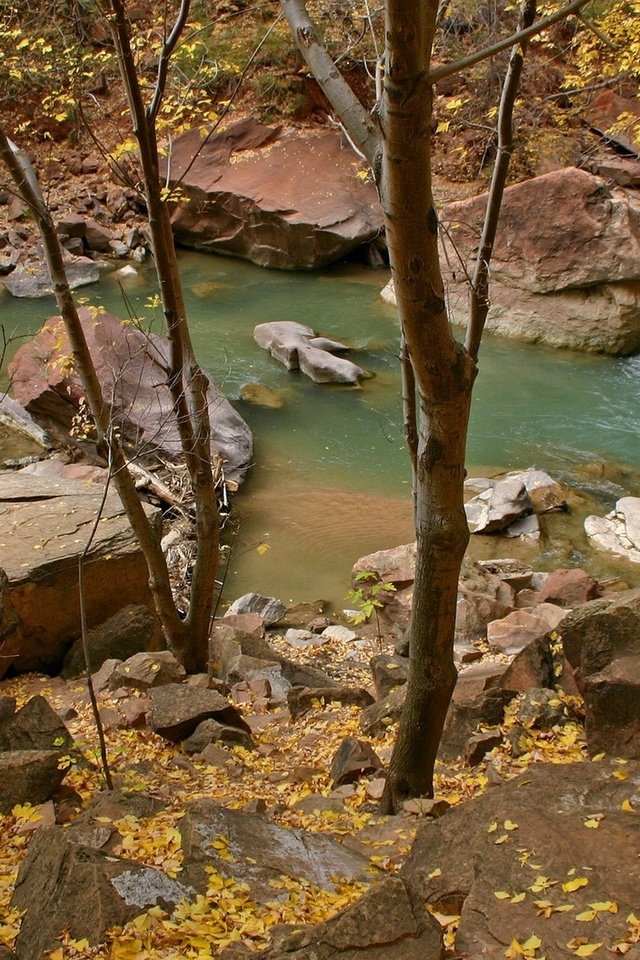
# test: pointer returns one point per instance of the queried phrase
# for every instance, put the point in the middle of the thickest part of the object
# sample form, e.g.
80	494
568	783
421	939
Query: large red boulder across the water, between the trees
289	199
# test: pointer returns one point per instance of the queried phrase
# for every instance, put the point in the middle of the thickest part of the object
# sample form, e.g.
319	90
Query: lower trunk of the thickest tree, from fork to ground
442	535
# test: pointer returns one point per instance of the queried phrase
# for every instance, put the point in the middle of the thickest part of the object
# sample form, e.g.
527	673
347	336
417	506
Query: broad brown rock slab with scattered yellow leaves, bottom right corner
457	866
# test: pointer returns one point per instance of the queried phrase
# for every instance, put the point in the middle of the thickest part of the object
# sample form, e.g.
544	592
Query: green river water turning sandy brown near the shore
331	480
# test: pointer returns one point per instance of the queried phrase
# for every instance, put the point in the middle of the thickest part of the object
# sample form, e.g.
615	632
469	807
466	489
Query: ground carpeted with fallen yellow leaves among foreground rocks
291	762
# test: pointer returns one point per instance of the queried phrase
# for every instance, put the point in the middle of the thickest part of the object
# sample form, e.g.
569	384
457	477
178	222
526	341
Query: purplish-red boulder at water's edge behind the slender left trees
131	366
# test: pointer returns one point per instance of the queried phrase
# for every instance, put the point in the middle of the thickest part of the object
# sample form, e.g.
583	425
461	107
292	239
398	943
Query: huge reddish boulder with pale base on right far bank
566	262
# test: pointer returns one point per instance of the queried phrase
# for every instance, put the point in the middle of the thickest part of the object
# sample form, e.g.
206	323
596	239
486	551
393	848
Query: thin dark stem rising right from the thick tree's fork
479	297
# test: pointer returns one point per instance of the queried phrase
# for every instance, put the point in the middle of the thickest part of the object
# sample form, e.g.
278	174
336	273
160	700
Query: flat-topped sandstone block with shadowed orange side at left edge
40	609
